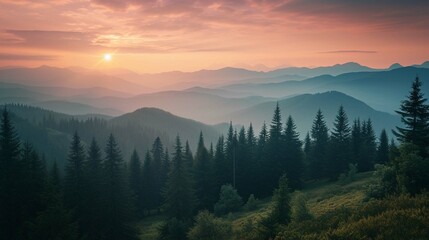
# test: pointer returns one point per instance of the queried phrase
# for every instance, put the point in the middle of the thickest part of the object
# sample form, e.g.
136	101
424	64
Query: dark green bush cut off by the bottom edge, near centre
208	227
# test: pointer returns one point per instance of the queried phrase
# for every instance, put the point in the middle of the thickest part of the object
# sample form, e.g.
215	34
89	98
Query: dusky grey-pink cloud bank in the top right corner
382	13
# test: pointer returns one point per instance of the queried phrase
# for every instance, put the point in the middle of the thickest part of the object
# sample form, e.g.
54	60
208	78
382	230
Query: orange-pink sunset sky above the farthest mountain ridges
188	35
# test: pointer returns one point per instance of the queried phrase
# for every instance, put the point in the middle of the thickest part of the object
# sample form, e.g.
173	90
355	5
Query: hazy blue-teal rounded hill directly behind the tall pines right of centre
303	109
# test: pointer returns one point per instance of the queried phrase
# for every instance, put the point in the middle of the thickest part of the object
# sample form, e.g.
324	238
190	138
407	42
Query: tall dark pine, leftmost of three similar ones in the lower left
74	182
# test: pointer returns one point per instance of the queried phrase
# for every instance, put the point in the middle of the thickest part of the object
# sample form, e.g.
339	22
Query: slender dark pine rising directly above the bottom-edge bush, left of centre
203	176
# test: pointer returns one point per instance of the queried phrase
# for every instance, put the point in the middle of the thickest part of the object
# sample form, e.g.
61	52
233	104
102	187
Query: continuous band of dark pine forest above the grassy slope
100	195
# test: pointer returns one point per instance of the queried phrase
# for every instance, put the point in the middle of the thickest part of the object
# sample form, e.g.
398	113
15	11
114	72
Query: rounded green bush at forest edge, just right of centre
229	201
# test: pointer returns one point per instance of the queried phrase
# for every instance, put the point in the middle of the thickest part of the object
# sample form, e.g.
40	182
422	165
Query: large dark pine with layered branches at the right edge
415	116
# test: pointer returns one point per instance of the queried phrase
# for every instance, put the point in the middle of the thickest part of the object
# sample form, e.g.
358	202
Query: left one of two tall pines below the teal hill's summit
318	154
